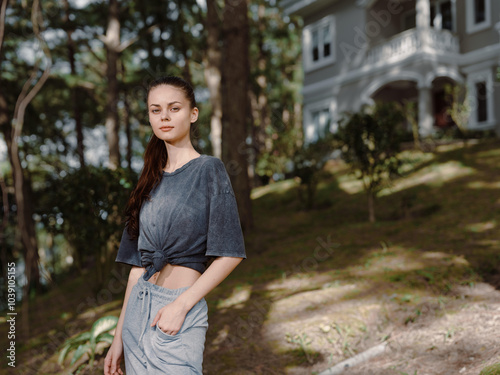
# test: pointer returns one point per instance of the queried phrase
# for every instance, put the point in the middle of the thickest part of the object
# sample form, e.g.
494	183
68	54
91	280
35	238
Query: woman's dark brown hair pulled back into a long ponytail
155	159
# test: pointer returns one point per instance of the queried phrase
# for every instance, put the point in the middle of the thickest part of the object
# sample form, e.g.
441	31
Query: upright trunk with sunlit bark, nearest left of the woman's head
112	43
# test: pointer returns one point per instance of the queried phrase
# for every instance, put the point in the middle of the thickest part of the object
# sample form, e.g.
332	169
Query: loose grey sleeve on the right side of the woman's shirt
224	235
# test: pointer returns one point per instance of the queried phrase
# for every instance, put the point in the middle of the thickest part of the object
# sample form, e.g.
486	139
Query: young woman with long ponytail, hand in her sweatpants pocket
181	214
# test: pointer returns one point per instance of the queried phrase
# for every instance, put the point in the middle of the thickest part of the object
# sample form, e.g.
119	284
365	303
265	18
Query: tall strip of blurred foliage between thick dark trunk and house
275	84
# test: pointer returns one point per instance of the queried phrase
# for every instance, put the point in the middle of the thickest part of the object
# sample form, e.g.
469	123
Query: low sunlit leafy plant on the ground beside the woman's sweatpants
86	342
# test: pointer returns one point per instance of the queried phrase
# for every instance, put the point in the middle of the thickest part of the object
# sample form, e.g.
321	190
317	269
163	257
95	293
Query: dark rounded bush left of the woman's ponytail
86	206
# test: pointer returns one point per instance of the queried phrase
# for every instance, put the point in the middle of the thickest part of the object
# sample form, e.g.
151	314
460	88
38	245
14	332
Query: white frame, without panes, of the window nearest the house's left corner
309	63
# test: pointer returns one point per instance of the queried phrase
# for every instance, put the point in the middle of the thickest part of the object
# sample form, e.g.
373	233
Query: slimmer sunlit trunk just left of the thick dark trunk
213	75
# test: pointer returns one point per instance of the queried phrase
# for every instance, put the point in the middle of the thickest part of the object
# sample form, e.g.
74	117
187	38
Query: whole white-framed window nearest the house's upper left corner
319	41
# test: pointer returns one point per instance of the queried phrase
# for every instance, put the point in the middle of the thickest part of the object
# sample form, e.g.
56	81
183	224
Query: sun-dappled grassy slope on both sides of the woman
322	285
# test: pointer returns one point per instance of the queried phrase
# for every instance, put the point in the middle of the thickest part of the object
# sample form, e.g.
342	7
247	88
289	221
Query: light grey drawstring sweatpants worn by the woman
150	351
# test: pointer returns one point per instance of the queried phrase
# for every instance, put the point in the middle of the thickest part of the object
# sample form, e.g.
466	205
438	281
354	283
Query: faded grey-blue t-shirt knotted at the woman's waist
192	216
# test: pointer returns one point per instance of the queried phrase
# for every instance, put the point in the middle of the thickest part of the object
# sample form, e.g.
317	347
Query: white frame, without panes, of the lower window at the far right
486	76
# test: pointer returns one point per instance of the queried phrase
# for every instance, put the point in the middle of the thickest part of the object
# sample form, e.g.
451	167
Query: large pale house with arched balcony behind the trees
356	52
